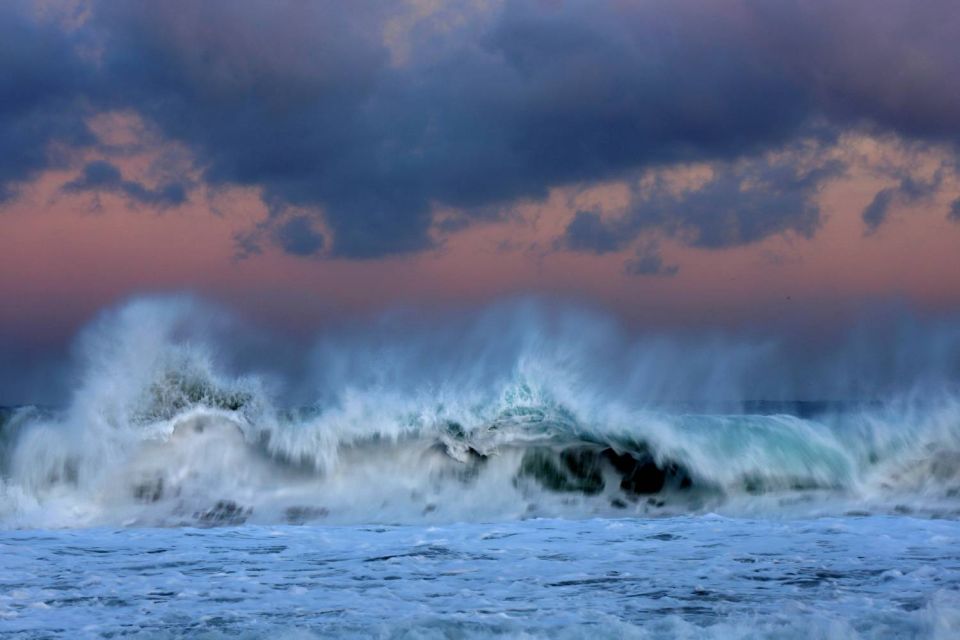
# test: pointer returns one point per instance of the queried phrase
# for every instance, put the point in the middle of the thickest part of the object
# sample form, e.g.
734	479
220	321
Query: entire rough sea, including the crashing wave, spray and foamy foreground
535	490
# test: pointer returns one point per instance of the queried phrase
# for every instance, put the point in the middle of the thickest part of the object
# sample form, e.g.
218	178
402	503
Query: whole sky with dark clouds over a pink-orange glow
685	164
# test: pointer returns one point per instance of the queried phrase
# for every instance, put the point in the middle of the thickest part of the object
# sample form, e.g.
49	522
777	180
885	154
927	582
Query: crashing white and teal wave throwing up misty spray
525	411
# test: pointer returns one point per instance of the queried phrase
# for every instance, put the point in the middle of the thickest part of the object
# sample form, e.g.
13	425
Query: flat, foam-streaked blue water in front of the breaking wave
687	577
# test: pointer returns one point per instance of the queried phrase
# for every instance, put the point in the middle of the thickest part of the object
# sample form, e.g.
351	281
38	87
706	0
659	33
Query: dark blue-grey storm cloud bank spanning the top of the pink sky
305	101
